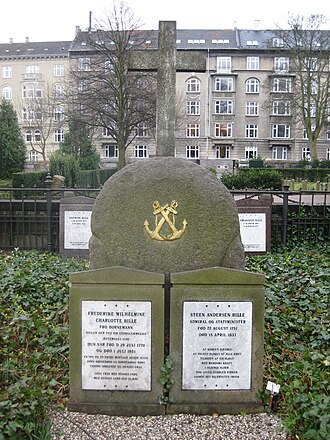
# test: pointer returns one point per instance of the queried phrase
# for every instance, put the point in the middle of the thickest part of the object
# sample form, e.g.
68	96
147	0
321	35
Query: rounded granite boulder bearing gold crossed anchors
165	215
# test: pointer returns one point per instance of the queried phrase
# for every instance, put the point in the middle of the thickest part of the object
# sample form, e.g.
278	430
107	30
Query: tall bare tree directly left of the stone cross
105	93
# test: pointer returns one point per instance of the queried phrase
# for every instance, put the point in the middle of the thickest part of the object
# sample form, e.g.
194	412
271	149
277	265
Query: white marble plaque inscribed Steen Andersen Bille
217	339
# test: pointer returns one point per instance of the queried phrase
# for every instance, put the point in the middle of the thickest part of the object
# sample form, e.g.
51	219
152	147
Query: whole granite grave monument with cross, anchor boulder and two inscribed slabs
165	232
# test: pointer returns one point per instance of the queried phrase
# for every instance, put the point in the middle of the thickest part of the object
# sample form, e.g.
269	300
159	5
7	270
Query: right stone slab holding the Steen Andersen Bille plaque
219	312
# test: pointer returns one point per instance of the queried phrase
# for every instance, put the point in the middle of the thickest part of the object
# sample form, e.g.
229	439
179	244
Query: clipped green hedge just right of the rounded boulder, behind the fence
252	178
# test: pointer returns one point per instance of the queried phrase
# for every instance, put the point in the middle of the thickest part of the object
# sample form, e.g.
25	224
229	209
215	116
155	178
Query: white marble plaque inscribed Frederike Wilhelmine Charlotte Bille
116	345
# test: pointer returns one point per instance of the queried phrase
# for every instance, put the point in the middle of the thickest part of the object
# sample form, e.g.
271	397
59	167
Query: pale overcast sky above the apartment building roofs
55	21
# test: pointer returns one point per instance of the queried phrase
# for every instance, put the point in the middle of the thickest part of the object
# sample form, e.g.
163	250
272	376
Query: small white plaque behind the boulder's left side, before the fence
77	229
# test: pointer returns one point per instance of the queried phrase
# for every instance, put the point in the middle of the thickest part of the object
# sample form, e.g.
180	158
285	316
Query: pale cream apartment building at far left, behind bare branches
32	77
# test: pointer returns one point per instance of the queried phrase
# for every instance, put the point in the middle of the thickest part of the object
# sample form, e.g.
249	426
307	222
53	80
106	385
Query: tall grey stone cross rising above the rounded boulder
166	60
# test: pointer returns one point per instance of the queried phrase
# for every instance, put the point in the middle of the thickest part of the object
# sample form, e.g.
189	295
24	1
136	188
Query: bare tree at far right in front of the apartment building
309	49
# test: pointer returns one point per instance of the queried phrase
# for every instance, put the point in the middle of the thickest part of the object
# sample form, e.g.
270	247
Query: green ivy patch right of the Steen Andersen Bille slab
297	336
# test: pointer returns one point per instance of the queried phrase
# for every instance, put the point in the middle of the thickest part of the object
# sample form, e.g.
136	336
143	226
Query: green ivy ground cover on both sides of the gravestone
34	289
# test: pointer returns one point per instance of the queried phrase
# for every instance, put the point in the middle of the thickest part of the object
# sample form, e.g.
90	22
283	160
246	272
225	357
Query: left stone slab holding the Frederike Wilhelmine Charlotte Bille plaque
116	341
